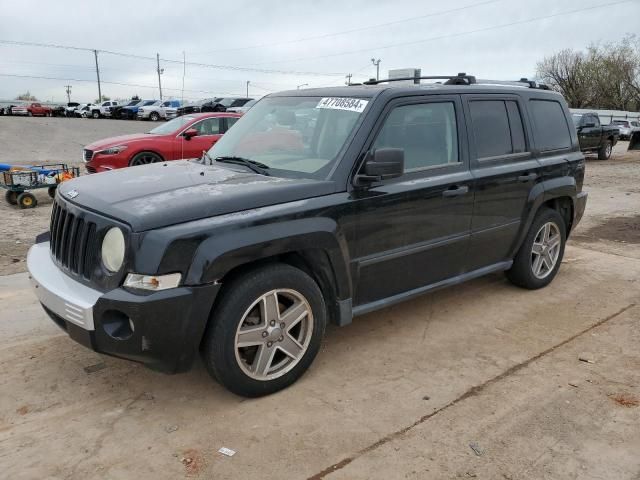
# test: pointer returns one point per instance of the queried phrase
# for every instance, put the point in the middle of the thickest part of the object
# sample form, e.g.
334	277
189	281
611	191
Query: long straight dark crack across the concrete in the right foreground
473	391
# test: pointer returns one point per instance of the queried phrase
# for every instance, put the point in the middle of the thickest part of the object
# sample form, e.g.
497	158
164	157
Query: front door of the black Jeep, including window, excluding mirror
413	231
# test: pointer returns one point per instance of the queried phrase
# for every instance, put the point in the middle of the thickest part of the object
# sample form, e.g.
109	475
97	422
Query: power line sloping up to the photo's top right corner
448	35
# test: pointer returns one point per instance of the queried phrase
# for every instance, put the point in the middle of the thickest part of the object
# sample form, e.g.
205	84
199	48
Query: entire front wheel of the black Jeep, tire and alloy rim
265	331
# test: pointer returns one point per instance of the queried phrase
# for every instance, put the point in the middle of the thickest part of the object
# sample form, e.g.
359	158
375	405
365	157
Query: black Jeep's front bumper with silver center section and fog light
162	329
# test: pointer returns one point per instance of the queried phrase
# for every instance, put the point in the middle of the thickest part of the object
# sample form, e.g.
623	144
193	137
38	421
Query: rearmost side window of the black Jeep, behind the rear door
552	131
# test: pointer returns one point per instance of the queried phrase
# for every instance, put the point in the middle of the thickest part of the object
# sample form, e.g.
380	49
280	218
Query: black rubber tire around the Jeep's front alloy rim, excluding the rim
219	343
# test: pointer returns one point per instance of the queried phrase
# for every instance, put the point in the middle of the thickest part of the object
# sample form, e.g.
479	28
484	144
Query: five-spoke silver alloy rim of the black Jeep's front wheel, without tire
273	334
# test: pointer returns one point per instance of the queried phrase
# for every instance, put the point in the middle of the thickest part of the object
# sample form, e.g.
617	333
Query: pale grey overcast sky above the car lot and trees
326	39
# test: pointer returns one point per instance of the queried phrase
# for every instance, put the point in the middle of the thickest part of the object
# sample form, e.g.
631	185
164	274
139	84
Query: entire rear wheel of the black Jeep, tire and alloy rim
538	260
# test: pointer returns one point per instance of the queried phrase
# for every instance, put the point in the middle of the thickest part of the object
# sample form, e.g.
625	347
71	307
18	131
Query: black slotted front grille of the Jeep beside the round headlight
74	241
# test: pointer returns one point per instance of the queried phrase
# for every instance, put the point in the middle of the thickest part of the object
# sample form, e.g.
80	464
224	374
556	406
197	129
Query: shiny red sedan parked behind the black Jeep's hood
182	137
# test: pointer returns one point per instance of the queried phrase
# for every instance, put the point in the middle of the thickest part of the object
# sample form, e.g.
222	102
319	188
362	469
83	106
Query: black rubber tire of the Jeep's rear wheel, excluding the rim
522	270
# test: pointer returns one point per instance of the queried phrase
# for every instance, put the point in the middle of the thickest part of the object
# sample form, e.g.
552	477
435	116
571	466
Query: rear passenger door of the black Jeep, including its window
505	171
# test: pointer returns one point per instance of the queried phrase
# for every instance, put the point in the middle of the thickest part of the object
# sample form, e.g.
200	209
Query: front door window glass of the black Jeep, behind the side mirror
427	132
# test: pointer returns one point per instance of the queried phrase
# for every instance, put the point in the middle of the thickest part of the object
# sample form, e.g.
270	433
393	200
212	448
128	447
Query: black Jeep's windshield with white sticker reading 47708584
293	136
